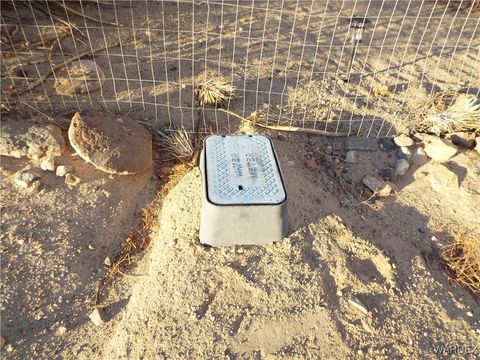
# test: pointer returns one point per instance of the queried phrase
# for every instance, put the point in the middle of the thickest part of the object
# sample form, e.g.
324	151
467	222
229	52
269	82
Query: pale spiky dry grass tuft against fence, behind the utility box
215	92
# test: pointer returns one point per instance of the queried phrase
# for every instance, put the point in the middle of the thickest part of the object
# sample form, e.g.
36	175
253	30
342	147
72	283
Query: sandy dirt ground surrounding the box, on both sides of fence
299	298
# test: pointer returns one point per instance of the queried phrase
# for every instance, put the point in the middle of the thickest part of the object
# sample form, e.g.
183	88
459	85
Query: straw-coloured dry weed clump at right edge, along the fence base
462	115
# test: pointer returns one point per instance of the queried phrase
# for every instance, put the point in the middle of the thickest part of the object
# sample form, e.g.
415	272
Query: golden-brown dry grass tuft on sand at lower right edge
463	261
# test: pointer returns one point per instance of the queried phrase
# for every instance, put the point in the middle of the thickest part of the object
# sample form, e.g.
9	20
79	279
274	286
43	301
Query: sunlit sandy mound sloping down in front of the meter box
297	298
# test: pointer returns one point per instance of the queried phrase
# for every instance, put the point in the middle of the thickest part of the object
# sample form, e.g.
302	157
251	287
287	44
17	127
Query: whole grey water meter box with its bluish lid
244	198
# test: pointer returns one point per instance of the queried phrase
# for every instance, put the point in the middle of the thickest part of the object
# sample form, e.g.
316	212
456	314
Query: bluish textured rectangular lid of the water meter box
242	170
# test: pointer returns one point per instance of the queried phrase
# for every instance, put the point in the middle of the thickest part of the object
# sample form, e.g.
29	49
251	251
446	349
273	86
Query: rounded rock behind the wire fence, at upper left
82	76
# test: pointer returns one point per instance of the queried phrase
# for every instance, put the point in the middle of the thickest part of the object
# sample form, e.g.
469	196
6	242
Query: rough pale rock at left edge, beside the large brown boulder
21	138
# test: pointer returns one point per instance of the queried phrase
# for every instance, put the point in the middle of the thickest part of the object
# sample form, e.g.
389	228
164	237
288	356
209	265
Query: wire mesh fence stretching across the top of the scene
355	67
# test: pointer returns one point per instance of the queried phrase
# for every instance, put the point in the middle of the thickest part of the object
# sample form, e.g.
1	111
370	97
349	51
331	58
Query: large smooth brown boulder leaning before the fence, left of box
114	145
